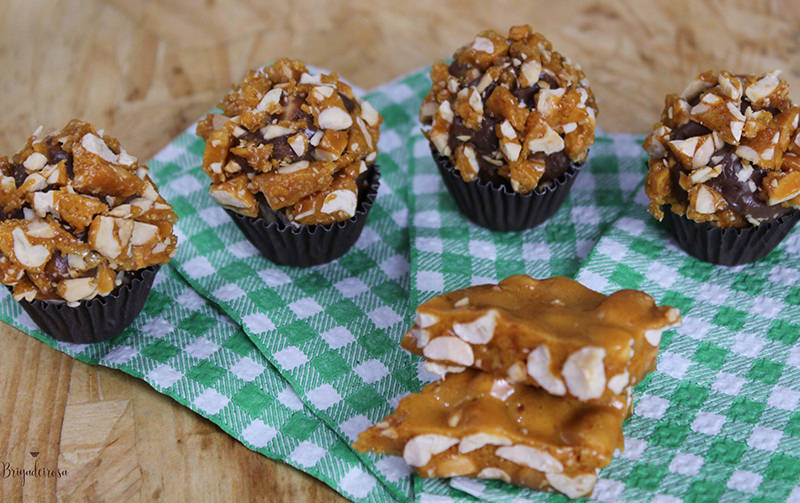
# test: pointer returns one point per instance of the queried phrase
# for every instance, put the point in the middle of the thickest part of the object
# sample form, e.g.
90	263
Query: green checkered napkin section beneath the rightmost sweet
719	419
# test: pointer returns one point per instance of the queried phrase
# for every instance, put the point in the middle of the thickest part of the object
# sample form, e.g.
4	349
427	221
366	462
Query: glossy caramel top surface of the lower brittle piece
580	435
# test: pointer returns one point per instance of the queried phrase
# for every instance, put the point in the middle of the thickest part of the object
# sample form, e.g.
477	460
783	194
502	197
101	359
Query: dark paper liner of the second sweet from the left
307	245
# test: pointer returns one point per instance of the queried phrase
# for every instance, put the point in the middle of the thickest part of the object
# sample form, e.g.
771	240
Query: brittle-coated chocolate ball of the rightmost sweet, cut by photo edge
726	151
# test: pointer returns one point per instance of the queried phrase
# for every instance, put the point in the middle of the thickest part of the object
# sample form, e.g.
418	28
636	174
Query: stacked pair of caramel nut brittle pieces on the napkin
538	378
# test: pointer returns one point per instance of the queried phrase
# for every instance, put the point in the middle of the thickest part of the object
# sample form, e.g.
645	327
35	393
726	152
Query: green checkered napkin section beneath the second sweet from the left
333	330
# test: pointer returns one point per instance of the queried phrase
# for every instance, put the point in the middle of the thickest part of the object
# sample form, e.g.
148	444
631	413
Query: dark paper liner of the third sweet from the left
499	208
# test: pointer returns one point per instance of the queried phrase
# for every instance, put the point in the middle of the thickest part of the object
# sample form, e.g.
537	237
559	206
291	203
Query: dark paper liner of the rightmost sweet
728	246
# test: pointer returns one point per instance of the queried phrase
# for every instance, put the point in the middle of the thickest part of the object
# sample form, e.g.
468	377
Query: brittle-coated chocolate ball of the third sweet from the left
510	109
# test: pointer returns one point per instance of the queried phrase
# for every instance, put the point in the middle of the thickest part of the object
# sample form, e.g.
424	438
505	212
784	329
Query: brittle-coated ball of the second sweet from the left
292	142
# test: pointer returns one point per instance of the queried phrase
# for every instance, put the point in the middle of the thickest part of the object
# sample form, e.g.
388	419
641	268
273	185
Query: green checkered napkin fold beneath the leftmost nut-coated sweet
185	348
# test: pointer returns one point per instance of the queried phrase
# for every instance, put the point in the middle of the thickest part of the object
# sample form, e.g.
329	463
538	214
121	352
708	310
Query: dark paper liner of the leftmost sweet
98	319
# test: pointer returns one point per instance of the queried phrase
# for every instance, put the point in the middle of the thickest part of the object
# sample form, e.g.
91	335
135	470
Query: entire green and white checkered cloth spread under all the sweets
318	358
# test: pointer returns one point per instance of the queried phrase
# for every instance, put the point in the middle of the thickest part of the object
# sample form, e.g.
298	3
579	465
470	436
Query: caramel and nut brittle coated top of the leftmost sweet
77	211
